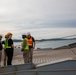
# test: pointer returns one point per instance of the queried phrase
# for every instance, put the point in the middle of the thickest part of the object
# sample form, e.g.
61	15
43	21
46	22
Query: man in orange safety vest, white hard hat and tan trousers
31	43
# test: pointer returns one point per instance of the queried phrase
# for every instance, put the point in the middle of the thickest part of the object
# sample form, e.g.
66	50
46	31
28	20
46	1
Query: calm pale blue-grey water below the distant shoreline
50	44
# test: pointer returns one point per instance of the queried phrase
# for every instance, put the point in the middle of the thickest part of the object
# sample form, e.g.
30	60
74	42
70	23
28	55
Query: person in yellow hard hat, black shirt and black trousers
9	48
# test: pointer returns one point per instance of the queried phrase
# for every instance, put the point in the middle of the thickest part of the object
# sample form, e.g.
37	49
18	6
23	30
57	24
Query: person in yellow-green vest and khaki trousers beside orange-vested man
25	49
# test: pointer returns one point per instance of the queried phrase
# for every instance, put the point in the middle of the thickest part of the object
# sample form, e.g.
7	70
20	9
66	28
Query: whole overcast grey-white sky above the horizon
21	16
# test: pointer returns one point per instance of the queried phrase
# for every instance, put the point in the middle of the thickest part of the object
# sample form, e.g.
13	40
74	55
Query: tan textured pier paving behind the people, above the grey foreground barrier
42	56
